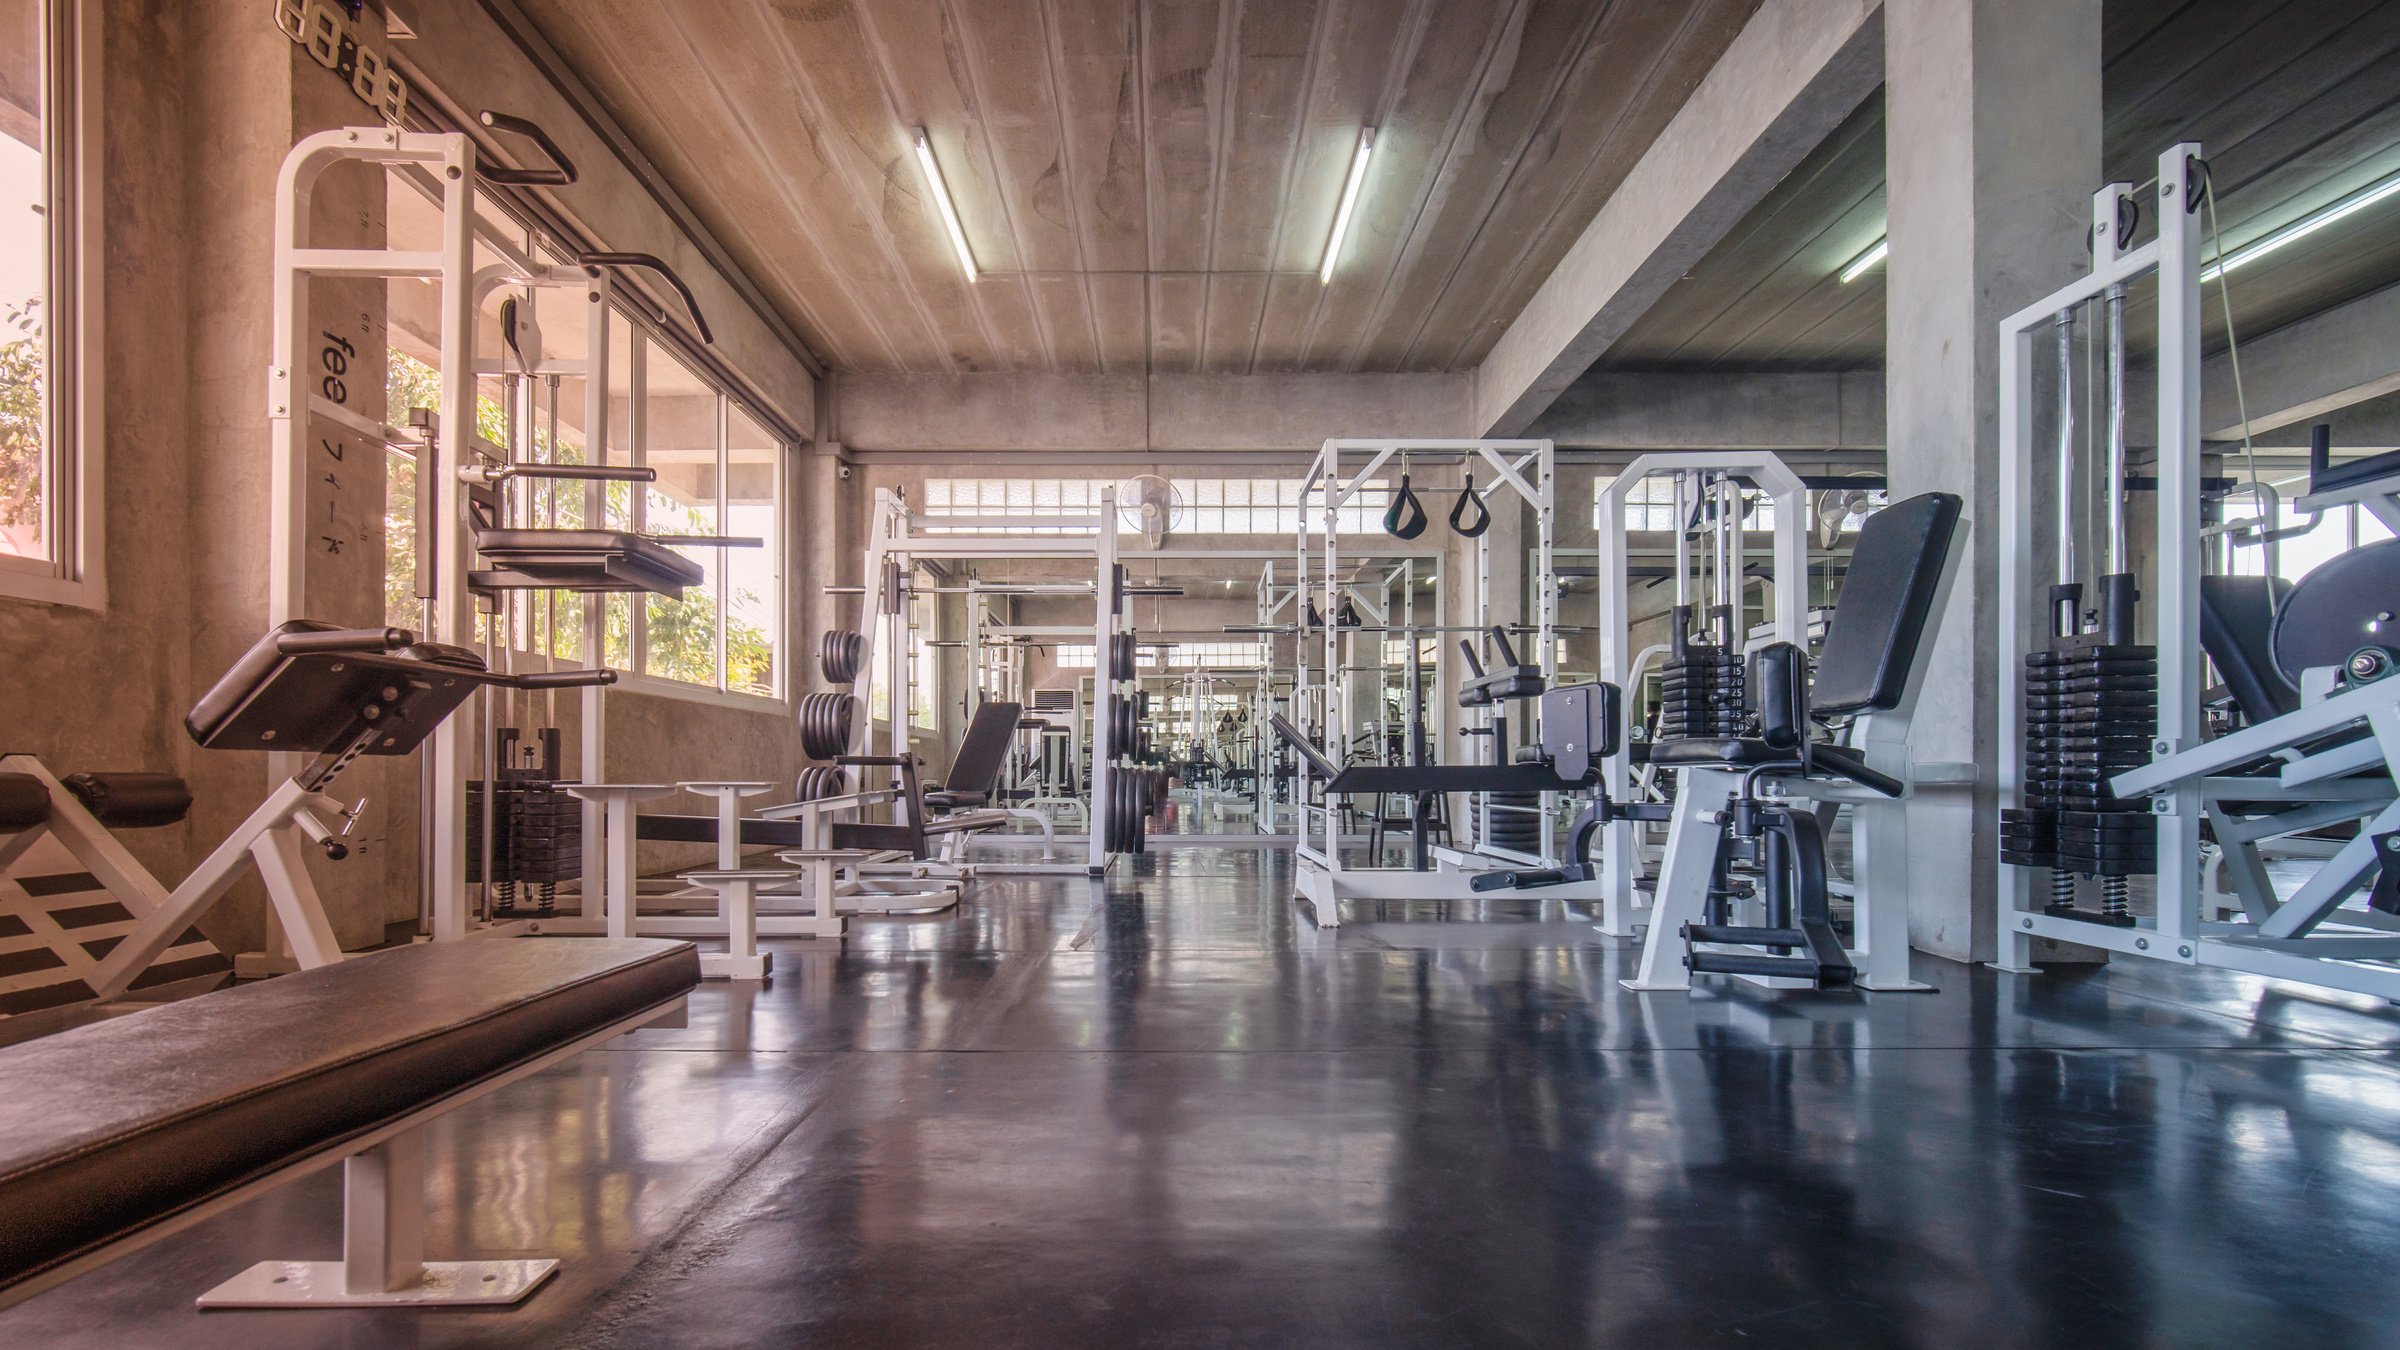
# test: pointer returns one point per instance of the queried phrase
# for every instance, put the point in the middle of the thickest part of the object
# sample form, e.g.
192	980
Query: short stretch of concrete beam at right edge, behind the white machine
2305	371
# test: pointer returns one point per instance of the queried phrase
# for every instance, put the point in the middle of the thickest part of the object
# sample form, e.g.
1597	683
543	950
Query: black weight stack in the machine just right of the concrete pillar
2092	707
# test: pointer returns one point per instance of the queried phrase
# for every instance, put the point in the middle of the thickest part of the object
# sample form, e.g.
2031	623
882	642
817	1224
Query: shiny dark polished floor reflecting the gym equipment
1168	1111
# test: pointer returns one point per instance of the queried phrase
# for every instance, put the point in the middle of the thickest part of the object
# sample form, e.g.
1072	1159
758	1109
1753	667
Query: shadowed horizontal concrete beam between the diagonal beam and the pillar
1717	412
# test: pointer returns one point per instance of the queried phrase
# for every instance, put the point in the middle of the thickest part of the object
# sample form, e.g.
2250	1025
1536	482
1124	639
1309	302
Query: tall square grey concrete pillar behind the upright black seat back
1993	157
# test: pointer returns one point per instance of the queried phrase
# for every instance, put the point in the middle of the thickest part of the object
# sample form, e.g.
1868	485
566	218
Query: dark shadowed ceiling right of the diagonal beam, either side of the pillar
2293	102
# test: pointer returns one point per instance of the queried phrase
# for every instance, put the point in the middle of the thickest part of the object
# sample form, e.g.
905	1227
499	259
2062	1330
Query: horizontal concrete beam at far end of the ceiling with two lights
1084	414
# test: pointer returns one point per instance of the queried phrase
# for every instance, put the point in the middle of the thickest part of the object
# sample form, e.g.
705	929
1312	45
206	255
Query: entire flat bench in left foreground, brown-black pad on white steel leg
128	1130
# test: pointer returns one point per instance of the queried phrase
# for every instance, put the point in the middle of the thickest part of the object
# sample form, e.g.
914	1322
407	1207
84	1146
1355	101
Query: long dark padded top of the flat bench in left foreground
119	1125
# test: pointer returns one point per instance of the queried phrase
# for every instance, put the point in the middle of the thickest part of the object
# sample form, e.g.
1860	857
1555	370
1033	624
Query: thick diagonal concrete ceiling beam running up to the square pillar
1794	73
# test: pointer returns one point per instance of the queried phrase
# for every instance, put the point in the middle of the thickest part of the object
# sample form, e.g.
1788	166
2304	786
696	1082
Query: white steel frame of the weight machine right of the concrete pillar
2276	940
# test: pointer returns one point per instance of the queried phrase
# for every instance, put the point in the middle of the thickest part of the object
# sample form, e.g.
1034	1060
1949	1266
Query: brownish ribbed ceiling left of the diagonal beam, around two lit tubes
1148	184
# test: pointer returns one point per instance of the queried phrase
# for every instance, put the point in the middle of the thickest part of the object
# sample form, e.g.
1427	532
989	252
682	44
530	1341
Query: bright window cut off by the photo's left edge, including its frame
42	465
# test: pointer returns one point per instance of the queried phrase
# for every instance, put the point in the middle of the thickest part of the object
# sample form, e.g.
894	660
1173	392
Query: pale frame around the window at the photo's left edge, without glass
73	340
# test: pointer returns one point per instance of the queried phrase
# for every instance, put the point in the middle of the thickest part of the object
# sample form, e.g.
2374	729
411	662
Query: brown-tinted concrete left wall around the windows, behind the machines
200	107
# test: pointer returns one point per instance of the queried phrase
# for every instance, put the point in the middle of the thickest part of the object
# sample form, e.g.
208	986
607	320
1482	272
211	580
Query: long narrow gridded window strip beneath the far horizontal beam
1211	506
